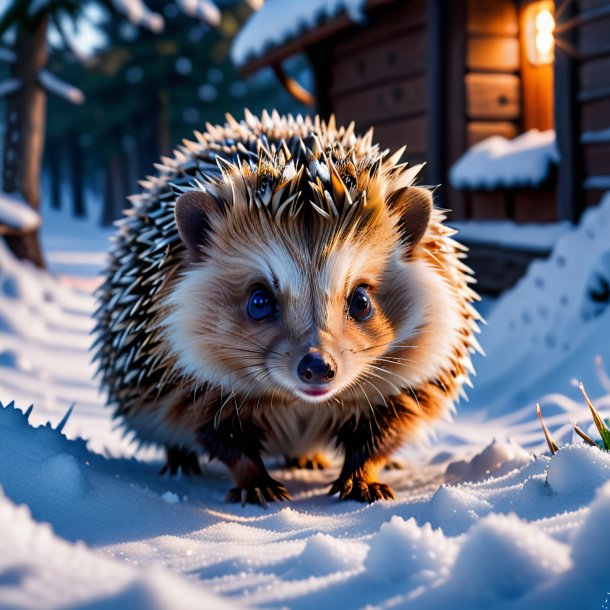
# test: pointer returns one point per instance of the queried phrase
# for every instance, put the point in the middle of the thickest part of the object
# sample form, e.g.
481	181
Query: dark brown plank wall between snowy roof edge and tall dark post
378	77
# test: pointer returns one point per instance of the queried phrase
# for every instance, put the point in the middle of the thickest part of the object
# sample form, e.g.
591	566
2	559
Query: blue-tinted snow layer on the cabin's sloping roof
279	21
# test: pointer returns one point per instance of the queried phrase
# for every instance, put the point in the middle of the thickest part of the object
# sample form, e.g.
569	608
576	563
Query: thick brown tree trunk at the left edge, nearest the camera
25	130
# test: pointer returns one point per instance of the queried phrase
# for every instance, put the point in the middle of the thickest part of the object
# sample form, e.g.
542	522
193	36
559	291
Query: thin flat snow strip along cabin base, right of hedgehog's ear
528	236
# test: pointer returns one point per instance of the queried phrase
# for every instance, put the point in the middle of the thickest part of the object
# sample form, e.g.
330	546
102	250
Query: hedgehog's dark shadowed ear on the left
193	212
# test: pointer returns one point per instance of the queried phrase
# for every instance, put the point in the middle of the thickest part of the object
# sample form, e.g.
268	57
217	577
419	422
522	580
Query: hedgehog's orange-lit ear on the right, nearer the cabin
413	205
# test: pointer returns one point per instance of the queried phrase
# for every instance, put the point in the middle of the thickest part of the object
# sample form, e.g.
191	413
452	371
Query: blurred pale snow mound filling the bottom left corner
39	570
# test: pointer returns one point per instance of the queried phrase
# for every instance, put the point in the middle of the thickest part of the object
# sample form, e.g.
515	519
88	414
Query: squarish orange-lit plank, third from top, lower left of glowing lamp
493	96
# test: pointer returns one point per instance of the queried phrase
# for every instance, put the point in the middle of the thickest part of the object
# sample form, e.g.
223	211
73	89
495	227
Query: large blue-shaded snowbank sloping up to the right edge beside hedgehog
552	325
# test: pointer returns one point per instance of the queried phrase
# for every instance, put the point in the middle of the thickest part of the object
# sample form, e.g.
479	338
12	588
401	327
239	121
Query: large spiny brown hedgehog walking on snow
282	287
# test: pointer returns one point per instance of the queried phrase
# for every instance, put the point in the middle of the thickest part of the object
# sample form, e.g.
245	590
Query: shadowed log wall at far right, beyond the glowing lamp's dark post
593	40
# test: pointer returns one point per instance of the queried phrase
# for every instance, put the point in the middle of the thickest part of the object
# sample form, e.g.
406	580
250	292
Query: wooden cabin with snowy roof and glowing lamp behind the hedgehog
443	75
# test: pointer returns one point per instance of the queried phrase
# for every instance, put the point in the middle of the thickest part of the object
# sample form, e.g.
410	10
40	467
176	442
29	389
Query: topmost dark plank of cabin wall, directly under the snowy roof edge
397	19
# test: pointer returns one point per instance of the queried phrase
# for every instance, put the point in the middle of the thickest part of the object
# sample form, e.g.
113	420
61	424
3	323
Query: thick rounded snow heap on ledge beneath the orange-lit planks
501	163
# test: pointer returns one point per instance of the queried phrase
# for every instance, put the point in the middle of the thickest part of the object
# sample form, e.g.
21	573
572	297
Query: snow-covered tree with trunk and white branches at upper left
30	82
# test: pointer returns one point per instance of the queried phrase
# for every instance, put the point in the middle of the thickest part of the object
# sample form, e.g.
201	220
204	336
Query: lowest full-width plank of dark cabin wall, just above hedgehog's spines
382	103
